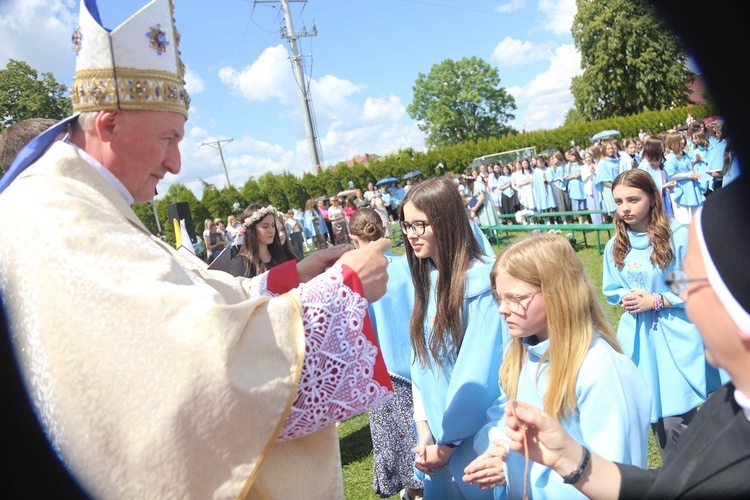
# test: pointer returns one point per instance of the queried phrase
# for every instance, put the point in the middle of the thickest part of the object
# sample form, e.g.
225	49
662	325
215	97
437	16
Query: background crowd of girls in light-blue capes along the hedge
686	166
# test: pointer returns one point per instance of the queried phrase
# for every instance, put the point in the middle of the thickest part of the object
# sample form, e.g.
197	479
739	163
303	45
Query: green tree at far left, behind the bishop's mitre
24	95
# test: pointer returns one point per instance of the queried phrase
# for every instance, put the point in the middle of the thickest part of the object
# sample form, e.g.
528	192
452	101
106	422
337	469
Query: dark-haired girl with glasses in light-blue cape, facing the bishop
456	337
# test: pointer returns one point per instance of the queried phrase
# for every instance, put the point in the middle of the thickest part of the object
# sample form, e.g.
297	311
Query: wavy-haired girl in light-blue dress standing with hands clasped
654	329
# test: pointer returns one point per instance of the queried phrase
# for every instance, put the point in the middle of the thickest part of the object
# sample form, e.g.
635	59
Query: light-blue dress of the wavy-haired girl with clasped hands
665	345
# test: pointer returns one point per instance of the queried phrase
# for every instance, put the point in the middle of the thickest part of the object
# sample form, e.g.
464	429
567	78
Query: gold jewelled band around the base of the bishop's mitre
138	89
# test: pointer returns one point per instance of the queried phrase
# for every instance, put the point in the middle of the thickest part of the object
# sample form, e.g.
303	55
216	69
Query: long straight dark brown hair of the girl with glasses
438	198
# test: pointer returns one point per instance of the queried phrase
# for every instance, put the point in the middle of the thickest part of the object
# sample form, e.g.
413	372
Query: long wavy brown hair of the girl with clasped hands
659	231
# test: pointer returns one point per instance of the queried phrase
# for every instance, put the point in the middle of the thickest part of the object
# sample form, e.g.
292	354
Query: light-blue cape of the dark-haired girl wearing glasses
457	396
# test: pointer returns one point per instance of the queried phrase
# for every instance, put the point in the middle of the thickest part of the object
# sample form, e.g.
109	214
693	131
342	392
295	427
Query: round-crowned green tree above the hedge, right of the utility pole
461	101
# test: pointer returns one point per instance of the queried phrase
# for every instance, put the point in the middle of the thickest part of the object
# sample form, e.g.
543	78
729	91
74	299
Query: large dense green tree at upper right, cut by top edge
631	60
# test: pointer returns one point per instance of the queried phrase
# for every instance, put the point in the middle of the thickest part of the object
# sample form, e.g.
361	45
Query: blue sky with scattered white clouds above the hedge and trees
362	65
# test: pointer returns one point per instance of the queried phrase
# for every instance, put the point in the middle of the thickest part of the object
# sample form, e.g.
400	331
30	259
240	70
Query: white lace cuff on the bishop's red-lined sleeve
337	376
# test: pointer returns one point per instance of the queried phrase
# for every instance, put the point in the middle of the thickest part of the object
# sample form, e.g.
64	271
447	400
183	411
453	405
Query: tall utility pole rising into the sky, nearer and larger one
308	114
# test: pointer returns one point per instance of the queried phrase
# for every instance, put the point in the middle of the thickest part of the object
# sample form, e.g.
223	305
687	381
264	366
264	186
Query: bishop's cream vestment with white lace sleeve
152	377
